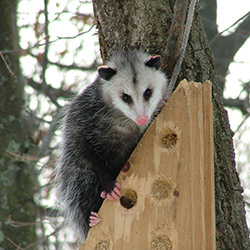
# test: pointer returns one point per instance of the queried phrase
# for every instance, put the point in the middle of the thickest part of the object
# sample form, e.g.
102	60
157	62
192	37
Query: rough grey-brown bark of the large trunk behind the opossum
145	24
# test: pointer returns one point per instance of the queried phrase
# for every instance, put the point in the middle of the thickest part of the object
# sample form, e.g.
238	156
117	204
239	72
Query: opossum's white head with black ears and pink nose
134	84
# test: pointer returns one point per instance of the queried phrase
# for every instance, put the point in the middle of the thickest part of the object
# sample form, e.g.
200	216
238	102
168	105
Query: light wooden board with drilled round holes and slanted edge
170	180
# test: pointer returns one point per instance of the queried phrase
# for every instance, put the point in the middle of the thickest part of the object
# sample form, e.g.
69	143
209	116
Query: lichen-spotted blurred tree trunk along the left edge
16	173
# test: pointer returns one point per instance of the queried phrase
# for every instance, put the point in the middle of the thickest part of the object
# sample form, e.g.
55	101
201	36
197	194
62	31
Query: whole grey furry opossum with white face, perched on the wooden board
100	130
